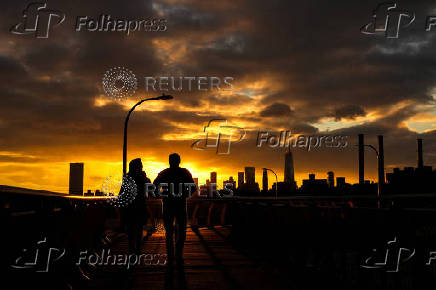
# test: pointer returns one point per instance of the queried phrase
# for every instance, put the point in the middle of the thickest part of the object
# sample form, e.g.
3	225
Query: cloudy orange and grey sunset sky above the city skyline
295	66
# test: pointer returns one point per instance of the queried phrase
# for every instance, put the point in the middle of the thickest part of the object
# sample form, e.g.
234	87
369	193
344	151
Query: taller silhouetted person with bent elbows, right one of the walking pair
176	184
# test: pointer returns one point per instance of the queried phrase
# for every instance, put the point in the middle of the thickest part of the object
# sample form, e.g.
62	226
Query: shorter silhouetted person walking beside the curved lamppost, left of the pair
136	212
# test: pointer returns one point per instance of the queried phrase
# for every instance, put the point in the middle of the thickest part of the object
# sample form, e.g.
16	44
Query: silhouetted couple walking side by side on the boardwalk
174	178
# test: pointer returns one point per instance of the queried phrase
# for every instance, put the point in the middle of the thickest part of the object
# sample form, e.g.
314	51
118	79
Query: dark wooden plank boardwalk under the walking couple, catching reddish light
210	263
